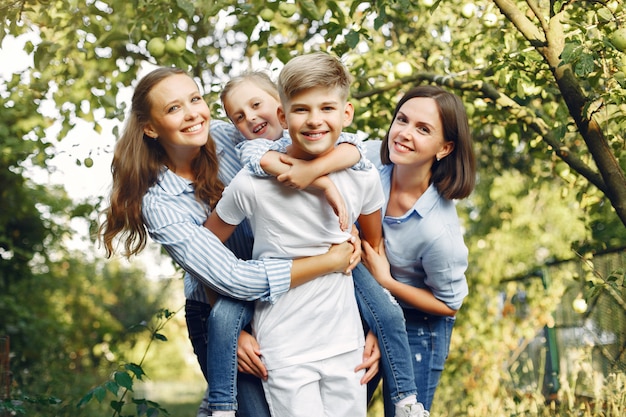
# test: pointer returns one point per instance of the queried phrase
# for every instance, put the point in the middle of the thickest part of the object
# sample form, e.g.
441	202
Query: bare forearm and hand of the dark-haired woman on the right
421	298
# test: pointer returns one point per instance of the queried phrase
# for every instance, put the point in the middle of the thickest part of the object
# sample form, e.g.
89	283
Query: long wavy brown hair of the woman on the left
137	162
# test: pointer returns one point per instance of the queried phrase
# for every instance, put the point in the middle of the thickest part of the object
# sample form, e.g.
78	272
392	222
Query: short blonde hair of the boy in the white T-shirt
314	70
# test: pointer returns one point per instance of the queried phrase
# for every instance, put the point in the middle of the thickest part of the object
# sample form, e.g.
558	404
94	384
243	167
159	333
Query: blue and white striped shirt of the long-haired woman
175	220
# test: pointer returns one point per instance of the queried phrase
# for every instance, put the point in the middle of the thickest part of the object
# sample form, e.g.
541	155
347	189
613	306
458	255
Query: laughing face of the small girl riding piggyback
253	111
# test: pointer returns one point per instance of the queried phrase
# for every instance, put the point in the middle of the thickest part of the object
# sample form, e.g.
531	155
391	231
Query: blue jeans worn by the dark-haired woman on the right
429	338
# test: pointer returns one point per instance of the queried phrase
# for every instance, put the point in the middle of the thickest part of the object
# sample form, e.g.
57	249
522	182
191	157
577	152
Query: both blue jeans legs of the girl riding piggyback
379	311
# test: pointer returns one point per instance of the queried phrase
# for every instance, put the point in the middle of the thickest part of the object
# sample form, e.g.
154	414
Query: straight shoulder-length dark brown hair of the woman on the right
455	175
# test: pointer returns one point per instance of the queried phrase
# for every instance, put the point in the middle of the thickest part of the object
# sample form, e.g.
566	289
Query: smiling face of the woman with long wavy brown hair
179	116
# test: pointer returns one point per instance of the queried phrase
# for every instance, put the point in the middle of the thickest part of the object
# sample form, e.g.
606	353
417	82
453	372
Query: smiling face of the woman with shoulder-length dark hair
416	136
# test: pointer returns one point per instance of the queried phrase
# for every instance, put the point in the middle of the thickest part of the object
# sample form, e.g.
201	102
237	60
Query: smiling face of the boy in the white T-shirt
315	119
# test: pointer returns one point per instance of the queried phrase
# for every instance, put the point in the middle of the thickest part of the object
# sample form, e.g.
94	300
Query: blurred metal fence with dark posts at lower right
587	342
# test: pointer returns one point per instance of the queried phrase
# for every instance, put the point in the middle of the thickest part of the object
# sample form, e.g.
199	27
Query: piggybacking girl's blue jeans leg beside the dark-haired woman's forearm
385	318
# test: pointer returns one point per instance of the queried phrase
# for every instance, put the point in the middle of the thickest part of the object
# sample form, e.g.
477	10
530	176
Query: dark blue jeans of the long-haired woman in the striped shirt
251	396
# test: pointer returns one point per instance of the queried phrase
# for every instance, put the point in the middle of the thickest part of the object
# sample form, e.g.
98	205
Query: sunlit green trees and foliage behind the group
542	81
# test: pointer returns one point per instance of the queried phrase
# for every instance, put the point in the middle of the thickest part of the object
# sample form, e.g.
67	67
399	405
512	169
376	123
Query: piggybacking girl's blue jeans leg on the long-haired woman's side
227	319
